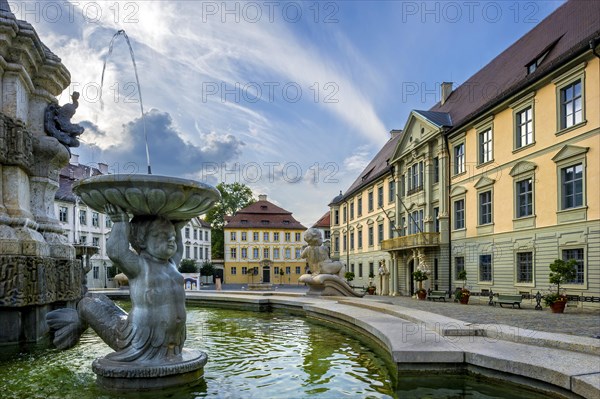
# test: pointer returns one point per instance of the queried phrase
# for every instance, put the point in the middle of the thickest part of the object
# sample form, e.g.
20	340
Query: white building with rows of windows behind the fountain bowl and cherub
85	226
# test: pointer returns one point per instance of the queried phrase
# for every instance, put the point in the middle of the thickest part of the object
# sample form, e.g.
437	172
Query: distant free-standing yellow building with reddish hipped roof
263	243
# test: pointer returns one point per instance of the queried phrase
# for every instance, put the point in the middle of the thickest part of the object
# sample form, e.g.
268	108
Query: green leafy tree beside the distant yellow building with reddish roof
234	197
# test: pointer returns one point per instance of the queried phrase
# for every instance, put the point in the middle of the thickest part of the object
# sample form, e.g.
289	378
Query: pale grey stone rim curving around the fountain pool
558	364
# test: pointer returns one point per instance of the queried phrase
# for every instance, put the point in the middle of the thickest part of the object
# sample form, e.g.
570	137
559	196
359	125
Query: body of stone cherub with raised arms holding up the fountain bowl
154	330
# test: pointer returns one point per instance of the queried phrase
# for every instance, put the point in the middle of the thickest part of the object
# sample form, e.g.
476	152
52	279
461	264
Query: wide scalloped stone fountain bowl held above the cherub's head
170	197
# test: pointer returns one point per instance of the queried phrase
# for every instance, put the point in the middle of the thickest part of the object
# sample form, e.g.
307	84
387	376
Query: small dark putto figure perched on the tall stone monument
57	122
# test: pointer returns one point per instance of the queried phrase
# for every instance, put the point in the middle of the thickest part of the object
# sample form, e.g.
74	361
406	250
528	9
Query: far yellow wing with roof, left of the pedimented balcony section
364	216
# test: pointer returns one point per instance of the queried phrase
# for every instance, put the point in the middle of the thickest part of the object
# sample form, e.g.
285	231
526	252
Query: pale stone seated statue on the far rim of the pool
327	275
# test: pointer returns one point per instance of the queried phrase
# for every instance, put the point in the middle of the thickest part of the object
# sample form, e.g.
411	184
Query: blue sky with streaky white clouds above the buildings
291	98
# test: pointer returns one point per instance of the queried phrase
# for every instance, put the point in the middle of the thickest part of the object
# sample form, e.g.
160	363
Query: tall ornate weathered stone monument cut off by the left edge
38	268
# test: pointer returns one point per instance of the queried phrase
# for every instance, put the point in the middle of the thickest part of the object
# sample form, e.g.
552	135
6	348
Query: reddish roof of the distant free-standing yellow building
264	215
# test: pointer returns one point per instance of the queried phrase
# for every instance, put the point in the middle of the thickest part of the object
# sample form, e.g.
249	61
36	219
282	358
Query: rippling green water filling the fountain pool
251	355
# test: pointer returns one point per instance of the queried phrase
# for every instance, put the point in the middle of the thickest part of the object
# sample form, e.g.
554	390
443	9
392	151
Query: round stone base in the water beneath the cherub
131	377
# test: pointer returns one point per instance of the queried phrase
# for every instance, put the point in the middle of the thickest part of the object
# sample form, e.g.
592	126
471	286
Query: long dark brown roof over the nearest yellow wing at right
566	33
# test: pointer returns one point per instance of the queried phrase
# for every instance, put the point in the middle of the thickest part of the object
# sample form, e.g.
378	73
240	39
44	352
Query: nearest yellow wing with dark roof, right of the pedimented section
524	159
